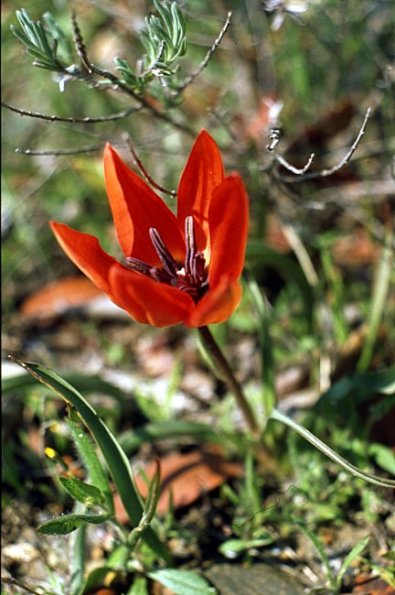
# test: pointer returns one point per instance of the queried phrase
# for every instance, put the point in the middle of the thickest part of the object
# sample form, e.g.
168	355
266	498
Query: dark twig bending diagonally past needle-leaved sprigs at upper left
92	69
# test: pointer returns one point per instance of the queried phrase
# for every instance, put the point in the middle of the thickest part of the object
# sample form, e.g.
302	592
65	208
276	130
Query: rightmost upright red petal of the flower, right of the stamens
228	218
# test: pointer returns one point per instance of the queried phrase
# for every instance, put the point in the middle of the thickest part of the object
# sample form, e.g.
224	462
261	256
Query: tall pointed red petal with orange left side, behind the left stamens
135	208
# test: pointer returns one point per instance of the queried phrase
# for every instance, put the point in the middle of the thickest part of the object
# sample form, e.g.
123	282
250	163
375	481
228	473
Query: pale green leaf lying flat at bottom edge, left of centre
182	582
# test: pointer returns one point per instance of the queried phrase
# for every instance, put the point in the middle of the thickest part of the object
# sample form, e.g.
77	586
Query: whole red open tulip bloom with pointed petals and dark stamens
177	269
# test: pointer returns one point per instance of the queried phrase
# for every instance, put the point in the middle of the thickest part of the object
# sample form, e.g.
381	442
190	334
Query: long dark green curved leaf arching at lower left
114	456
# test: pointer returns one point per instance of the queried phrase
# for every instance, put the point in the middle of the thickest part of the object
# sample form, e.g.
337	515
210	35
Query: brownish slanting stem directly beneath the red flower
224	367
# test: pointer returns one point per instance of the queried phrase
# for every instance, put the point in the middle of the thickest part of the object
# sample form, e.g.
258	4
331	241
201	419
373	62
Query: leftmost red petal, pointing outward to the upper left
85	251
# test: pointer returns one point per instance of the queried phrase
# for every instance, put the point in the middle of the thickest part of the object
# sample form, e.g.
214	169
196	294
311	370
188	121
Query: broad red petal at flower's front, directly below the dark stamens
149	301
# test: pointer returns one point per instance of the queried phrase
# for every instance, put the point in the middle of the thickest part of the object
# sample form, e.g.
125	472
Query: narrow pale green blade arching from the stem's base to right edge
331	454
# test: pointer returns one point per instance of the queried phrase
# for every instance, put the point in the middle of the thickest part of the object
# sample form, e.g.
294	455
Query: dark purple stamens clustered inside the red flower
190	276
